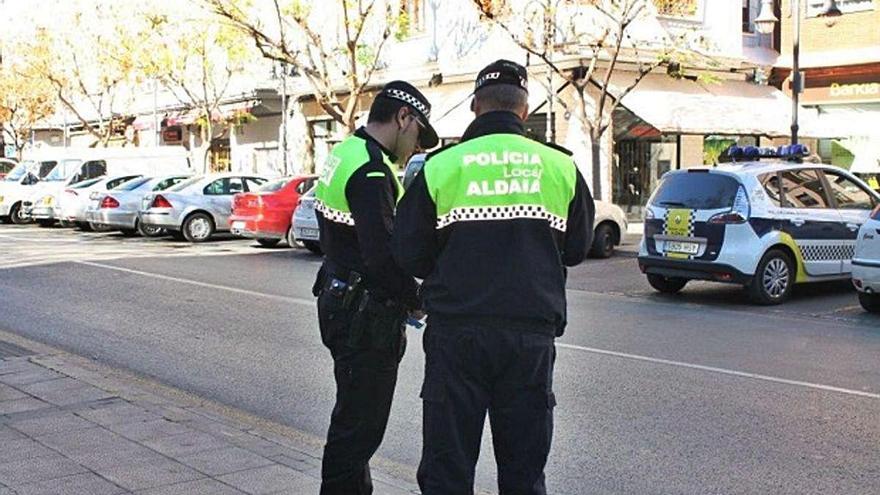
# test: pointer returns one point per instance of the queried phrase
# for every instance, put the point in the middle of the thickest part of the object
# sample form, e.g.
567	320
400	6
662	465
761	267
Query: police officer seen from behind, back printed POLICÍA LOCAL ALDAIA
491	224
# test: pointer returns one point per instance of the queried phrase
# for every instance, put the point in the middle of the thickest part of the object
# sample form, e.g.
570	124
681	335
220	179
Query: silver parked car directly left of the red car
196	208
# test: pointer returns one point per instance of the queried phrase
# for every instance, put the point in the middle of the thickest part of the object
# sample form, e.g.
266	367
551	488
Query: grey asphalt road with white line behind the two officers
696	393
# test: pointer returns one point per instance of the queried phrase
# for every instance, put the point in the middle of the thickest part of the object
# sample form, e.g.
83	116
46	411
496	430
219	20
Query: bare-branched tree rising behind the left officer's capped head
336	47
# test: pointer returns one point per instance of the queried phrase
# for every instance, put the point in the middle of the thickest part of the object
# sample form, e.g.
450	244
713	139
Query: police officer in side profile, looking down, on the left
363	296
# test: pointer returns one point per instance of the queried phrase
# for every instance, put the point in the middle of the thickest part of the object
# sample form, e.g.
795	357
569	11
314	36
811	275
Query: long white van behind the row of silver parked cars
83	164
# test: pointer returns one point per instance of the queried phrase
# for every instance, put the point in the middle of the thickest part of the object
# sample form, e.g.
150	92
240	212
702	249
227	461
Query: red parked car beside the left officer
265	215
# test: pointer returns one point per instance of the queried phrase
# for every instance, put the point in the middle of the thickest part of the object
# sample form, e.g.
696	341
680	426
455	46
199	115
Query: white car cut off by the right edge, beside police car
866	263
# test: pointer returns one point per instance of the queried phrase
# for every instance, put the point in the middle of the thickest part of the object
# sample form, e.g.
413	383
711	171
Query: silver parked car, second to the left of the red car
117	209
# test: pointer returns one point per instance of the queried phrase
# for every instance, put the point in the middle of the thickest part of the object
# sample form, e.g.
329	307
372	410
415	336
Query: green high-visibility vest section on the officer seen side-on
343	161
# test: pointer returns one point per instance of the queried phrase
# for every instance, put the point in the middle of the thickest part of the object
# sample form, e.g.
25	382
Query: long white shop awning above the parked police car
736	108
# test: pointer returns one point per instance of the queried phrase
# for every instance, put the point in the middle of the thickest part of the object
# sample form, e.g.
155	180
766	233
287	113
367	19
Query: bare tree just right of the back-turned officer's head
584	42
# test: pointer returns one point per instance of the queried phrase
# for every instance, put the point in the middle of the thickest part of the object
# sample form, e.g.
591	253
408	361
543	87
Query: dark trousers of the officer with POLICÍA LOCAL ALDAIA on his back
472	368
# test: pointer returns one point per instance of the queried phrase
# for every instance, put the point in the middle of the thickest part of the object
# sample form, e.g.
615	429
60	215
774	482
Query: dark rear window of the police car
696	191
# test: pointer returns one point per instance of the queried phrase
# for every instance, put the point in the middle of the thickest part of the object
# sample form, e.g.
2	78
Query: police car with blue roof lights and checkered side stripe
765	221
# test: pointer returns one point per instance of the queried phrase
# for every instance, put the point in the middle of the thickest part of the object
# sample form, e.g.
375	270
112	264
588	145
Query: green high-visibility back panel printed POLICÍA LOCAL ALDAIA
501	176
